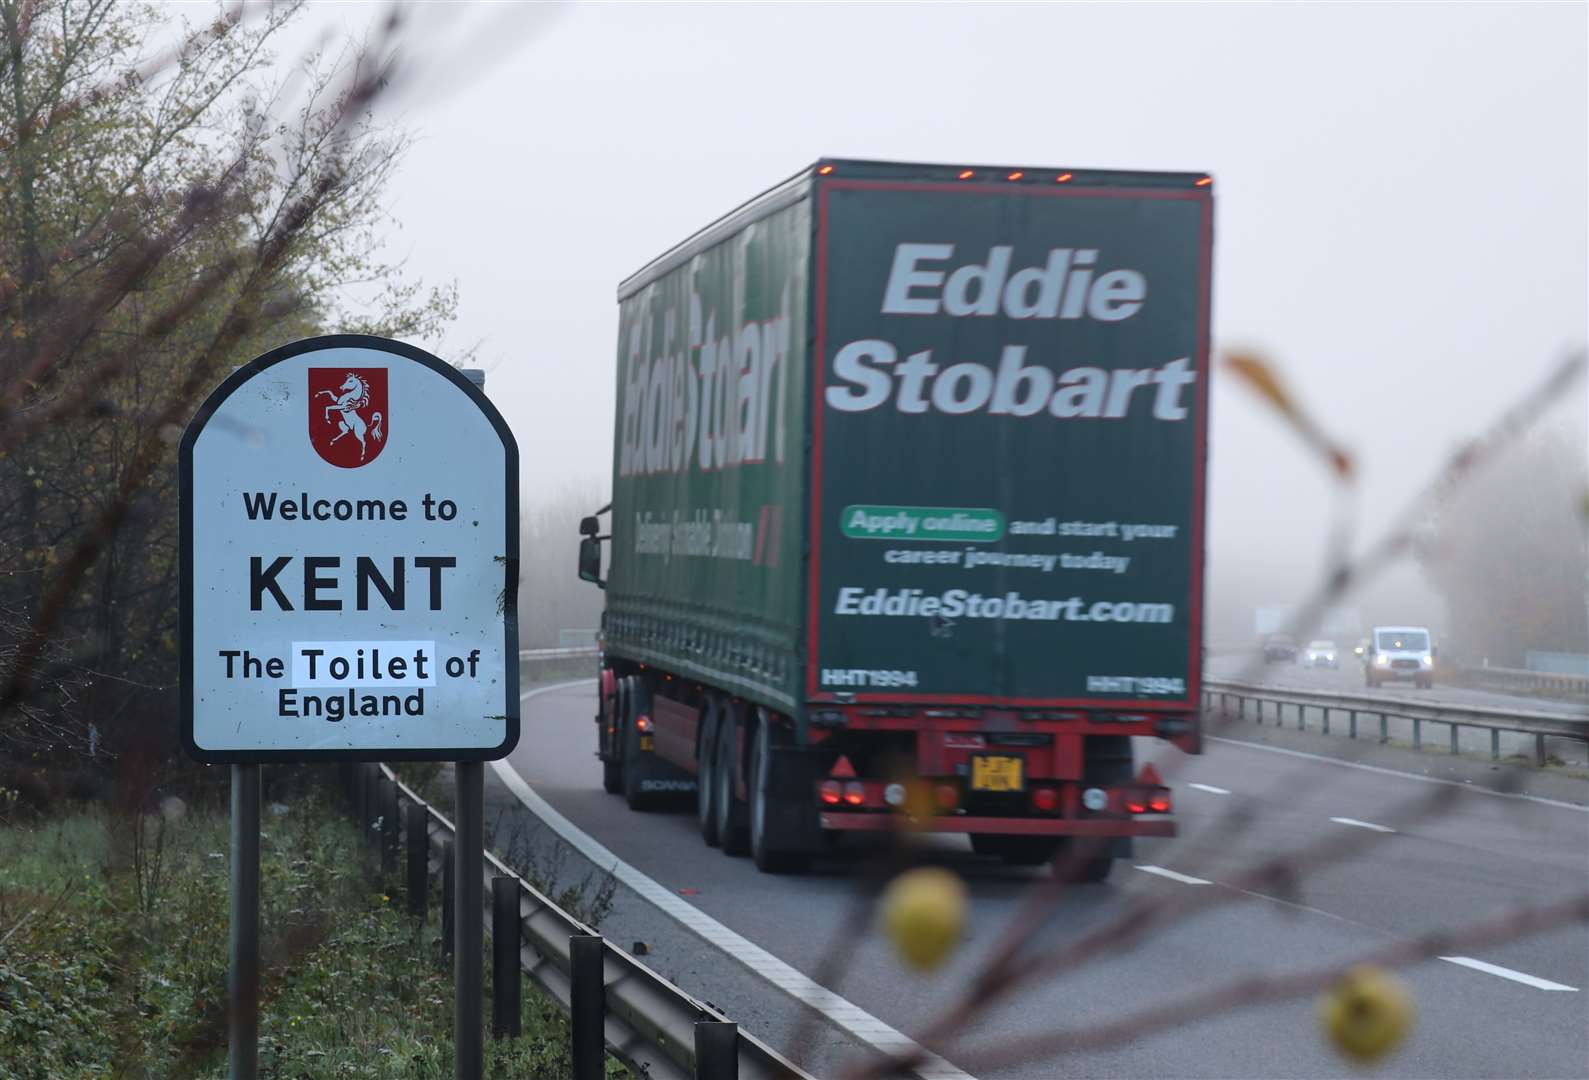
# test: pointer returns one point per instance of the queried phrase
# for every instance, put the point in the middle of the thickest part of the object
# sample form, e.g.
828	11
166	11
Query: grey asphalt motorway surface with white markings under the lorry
1507	1011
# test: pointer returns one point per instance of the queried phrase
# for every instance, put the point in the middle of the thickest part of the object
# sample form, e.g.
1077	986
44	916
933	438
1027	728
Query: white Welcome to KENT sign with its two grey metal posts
350	584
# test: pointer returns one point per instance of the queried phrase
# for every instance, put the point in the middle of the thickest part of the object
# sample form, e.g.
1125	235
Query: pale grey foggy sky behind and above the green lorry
1401	202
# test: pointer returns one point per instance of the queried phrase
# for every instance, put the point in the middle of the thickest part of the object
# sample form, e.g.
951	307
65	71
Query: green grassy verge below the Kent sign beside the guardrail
352	985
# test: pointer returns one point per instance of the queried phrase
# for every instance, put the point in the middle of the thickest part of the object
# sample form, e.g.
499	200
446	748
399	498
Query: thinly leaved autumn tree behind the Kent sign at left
168	212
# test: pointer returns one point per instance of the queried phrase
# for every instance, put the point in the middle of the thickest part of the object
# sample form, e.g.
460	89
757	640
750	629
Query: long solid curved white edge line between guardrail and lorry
760	962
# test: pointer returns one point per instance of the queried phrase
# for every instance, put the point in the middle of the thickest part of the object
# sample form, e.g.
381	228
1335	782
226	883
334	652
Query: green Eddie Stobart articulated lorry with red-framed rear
908	511
